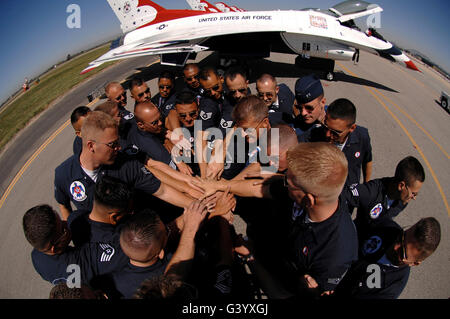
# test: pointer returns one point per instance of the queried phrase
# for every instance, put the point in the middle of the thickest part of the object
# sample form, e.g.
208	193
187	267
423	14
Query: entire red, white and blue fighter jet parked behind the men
318	37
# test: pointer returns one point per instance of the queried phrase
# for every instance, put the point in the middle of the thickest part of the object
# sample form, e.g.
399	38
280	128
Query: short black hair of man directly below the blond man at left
113	193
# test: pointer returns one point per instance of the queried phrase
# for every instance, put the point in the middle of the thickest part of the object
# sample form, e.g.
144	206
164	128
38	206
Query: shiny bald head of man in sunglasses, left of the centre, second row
148	117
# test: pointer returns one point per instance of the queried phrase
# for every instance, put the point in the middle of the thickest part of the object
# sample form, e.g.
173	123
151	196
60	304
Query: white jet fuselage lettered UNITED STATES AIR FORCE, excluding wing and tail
308	33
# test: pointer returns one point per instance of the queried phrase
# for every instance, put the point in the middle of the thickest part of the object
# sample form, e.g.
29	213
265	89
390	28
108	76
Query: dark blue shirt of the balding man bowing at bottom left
129	279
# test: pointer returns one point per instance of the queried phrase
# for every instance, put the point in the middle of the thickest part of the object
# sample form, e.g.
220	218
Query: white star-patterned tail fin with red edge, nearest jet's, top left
134	13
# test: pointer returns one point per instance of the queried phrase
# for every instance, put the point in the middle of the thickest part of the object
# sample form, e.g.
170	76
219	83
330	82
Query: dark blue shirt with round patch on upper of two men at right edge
372	203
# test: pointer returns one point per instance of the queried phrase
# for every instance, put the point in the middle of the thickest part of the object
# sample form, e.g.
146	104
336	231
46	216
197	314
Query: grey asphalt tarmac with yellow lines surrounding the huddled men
398	106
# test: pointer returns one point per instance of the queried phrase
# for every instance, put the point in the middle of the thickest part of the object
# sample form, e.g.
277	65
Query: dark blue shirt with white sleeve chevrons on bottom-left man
94	259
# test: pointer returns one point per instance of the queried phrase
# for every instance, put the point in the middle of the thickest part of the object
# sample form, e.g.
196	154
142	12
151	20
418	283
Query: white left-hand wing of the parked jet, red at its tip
142	49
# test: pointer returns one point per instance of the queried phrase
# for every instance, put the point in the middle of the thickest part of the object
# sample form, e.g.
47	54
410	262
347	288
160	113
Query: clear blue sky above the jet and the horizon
35	35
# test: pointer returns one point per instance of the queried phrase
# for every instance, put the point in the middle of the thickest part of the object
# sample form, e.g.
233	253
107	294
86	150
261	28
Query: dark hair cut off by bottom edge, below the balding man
165	288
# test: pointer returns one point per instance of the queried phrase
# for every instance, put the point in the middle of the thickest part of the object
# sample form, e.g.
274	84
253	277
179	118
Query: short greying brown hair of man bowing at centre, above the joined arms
250	108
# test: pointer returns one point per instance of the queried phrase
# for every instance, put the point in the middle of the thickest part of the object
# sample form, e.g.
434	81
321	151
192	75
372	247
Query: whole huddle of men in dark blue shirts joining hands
148	198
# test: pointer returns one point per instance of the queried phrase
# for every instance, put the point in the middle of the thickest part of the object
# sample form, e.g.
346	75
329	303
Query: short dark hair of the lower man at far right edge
427	236
